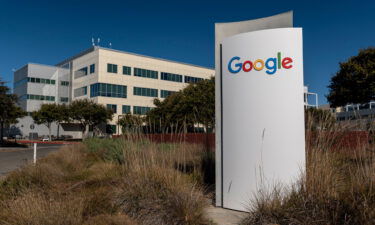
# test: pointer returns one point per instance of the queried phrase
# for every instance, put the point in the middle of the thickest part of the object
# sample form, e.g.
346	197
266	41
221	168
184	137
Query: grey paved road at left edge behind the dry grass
13	158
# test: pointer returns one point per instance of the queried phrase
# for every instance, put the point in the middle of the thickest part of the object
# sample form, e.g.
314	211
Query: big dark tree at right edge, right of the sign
355	81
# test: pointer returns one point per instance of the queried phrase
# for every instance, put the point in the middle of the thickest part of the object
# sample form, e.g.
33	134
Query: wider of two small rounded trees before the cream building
89	113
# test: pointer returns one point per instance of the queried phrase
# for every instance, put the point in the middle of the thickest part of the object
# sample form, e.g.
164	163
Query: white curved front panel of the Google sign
262	114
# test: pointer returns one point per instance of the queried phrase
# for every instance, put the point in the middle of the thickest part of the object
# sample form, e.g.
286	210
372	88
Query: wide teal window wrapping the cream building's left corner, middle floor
108	90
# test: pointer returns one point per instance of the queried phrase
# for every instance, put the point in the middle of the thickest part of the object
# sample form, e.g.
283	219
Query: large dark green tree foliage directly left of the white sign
194	104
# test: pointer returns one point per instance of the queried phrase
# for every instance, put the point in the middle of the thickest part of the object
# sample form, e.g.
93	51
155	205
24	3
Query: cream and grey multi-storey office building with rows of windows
125	82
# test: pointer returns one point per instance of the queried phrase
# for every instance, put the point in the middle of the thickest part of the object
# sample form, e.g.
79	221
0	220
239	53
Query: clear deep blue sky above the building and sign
49	31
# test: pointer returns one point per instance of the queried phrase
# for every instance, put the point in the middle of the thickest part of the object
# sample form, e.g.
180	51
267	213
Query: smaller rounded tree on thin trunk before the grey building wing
48	114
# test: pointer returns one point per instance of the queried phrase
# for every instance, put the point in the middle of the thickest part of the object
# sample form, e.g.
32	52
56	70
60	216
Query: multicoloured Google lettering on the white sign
271	64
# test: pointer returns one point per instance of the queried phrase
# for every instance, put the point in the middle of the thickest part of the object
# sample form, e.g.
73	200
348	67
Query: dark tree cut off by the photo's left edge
9	111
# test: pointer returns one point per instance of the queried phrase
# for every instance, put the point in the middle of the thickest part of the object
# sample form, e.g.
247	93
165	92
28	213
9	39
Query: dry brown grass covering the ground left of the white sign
108	182
